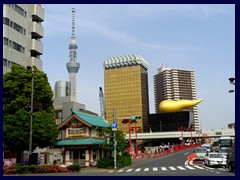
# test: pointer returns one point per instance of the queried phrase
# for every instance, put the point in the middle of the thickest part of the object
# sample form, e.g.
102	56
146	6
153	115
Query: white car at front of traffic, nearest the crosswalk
214	159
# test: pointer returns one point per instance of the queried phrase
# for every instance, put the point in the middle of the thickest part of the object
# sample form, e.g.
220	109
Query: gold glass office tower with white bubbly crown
126	90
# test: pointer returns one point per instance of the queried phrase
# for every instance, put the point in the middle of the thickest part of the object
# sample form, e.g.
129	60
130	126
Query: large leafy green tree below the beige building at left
17	89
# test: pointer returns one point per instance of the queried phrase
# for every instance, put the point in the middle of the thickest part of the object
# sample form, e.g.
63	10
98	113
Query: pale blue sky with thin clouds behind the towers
195	37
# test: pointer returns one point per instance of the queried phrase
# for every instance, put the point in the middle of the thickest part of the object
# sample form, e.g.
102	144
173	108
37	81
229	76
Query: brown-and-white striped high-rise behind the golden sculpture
176	84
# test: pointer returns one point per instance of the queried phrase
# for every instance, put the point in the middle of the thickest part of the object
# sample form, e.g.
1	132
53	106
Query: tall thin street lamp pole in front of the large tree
30	68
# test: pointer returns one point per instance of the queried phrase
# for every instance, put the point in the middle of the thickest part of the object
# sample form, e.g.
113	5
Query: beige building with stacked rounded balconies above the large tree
22	34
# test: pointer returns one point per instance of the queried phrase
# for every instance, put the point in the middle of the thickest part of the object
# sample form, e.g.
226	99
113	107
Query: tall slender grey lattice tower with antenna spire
73	66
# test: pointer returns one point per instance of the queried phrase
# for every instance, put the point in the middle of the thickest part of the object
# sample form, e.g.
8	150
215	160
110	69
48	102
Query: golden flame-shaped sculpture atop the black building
177	105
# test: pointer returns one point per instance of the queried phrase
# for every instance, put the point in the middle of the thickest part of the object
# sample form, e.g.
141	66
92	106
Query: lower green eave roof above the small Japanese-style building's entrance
79	141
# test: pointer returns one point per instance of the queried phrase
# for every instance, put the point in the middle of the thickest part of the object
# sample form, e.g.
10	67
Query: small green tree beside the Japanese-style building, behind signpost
122	142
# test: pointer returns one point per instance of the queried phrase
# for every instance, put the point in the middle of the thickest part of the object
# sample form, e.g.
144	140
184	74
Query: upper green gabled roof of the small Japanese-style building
87	119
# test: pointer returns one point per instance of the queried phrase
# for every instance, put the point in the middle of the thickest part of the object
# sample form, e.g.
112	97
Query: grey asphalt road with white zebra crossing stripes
171	165
